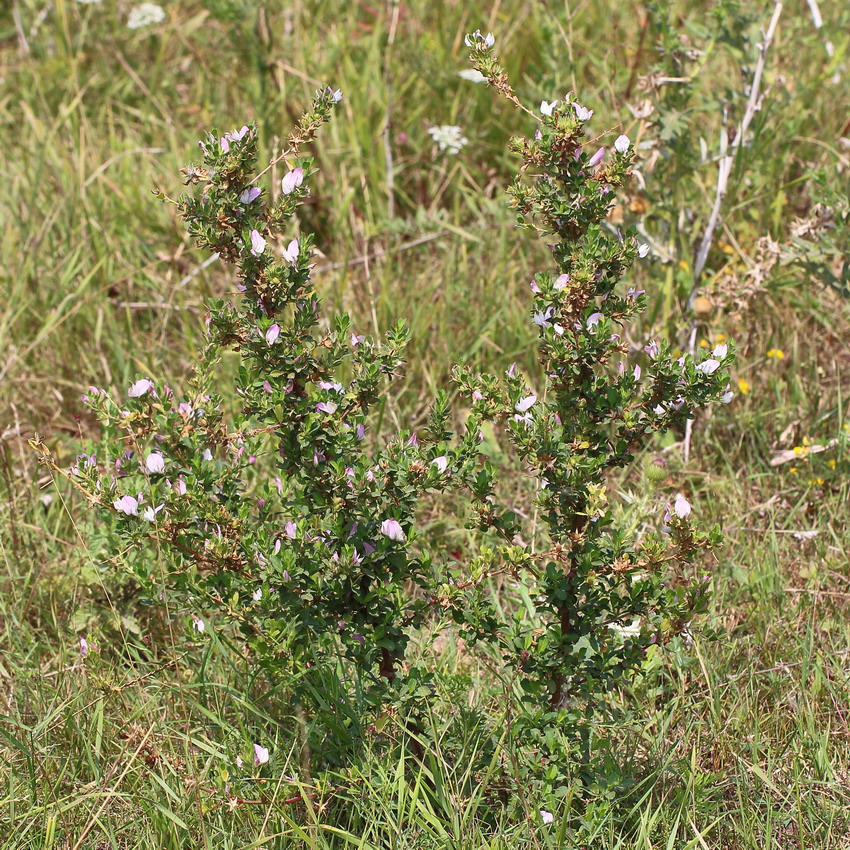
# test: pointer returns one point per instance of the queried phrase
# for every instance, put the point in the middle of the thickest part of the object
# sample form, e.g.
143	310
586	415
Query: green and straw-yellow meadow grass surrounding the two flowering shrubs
743	745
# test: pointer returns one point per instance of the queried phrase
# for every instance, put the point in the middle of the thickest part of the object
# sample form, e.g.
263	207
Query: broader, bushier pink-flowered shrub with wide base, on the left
273	507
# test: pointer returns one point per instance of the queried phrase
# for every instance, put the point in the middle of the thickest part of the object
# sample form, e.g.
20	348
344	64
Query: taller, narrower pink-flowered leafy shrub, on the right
597	599
